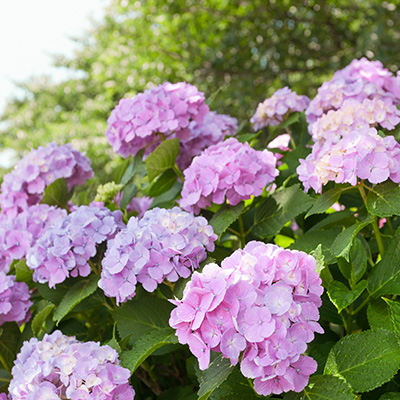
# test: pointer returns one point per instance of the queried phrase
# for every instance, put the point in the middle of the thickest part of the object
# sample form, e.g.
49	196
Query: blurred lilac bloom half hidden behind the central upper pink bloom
211	131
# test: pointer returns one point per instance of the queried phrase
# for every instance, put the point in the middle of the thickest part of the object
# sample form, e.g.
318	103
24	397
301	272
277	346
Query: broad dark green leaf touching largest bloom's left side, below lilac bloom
138	317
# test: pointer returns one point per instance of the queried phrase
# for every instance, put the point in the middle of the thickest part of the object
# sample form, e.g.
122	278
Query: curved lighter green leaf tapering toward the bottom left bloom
145	345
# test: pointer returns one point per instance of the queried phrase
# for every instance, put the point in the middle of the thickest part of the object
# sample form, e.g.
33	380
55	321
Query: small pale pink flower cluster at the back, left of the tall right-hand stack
275	109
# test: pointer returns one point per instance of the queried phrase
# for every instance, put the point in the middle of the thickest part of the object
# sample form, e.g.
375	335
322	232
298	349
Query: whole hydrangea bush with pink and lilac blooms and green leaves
217	264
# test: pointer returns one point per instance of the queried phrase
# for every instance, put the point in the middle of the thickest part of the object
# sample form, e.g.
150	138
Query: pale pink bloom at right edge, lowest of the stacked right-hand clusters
362	153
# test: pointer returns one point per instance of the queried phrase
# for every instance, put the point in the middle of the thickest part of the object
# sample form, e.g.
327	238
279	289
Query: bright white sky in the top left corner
32	30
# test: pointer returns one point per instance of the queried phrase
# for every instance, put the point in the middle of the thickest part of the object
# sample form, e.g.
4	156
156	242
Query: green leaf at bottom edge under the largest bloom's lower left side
213	376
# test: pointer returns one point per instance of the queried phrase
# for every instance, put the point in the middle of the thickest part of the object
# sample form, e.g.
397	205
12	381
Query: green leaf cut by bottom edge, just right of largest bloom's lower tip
324	387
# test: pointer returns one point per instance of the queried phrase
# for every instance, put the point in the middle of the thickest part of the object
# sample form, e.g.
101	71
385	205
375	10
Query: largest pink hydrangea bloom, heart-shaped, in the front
263	301
